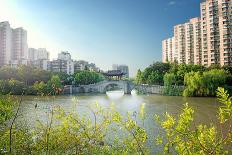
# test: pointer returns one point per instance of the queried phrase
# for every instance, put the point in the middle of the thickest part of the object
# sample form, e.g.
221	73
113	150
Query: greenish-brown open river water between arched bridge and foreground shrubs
205	108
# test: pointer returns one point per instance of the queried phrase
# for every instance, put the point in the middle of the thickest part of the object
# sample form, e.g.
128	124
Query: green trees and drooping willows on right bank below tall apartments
198	80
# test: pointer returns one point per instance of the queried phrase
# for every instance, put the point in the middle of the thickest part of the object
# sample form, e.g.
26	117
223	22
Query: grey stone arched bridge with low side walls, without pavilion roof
103	86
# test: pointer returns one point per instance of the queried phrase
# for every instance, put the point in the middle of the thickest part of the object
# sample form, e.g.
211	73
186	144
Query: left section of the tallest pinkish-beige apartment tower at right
210	32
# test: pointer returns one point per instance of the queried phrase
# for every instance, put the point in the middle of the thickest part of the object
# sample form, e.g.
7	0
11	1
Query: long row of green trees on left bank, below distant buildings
33	81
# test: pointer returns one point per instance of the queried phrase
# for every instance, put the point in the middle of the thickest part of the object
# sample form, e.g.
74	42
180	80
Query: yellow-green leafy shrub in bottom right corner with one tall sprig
181	137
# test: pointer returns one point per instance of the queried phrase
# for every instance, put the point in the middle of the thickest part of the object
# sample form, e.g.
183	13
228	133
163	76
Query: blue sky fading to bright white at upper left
104	32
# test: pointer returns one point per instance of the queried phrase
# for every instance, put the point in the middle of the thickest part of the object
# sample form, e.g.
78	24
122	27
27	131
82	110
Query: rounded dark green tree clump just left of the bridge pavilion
88	77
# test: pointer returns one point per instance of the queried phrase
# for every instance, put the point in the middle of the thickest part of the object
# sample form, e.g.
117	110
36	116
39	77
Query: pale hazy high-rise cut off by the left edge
5	43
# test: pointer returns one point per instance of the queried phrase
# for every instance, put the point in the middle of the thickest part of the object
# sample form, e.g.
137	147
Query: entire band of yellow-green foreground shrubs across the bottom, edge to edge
113	133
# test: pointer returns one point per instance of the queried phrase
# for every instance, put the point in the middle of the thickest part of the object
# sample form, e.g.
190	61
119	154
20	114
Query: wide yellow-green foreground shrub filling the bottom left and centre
69	133
